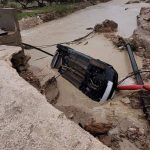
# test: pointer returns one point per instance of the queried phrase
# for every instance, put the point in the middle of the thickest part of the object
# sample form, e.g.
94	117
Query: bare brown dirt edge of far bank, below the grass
30	22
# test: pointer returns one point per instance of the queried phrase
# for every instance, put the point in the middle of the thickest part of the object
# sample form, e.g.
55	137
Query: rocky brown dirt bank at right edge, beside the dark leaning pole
141	37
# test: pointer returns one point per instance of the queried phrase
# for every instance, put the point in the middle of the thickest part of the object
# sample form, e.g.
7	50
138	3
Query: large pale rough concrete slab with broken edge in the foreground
28	121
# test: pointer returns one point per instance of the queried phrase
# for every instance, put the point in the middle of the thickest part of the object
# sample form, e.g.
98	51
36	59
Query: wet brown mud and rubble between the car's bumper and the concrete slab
110	125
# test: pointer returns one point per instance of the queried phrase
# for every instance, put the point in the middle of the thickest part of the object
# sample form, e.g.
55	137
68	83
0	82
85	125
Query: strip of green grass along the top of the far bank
58	10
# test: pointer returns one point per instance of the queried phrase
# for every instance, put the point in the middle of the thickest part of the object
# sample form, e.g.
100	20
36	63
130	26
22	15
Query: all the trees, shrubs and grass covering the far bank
52	8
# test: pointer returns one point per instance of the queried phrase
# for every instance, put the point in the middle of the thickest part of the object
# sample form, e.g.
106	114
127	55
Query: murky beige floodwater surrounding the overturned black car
74	26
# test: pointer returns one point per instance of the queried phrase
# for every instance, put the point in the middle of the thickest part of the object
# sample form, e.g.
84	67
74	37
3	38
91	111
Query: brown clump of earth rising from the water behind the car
106	26
